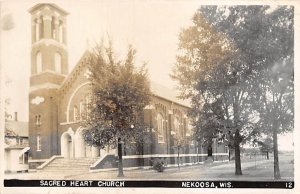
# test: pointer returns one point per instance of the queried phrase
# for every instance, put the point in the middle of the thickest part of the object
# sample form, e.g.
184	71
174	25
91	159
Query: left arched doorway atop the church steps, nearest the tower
66	145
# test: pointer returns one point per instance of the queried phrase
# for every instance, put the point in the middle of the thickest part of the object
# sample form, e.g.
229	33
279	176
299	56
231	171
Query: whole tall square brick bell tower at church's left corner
49	67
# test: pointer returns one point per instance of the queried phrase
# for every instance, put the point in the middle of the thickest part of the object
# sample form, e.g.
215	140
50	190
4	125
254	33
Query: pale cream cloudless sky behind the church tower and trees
152	27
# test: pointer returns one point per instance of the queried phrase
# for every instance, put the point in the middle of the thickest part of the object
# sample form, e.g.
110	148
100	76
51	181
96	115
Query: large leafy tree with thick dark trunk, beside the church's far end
211	71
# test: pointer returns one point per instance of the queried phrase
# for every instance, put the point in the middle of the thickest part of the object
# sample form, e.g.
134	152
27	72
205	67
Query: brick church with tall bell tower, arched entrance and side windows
58	97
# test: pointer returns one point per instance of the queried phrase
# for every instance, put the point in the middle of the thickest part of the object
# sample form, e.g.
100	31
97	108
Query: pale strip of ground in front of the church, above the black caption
252	171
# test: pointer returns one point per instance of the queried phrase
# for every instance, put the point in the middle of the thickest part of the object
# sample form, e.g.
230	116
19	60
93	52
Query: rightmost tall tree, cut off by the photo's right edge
265	38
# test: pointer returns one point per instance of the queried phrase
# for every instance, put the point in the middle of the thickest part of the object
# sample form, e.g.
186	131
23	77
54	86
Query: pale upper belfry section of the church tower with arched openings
49	41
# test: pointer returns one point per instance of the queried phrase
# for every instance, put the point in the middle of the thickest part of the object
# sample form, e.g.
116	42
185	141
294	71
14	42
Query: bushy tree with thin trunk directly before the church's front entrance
120	92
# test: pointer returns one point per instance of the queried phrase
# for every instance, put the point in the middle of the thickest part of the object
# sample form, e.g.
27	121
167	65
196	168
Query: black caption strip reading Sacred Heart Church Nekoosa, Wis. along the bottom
165	184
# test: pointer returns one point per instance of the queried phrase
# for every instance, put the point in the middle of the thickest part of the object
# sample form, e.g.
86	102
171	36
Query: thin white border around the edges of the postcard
178	190
